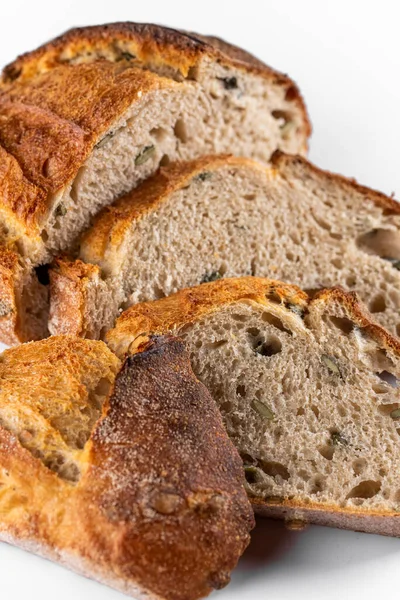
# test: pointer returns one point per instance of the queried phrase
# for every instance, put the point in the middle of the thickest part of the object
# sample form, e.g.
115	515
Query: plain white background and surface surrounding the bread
345	55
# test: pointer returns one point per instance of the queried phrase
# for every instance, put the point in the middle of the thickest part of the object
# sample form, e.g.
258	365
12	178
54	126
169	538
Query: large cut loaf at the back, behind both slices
86	117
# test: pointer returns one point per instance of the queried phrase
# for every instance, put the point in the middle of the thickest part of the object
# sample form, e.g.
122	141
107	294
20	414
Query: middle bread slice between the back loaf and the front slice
223	217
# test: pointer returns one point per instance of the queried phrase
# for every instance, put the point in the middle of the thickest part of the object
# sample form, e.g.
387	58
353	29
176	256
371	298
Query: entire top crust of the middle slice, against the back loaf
112	223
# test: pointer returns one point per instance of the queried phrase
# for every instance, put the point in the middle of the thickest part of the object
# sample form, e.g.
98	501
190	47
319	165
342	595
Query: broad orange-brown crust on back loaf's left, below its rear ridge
45	134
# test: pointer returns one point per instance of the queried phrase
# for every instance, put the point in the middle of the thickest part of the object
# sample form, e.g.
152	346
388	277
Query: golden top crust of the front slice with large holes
191	304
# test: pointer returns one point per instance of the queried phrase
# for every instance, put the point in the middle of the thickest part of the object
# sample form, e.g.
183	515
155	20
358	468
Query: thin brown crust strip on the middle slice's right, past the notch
288	165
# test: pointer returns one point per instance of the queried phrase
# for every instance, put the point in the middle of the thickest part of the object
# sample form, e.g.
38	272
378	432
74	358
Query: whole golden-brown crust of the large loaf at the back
41	122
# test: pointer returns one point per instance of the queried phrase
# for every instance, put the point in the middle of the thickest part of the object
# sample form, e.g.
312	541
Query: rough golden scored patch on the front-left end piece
51	395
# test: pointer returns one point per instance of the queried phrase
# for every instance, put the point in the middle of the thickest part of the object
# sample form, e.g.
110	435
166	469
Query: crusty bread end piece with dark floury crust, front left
122	473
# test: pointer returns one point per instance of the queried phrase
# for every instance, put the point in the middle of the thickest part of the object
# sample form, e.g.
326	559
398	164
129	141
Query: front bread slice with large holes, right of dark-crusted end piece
308	390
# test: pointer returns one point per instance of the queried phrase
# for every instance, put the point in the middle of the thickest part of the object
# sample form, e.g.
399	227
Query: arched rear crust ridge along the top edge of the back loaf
145	43
